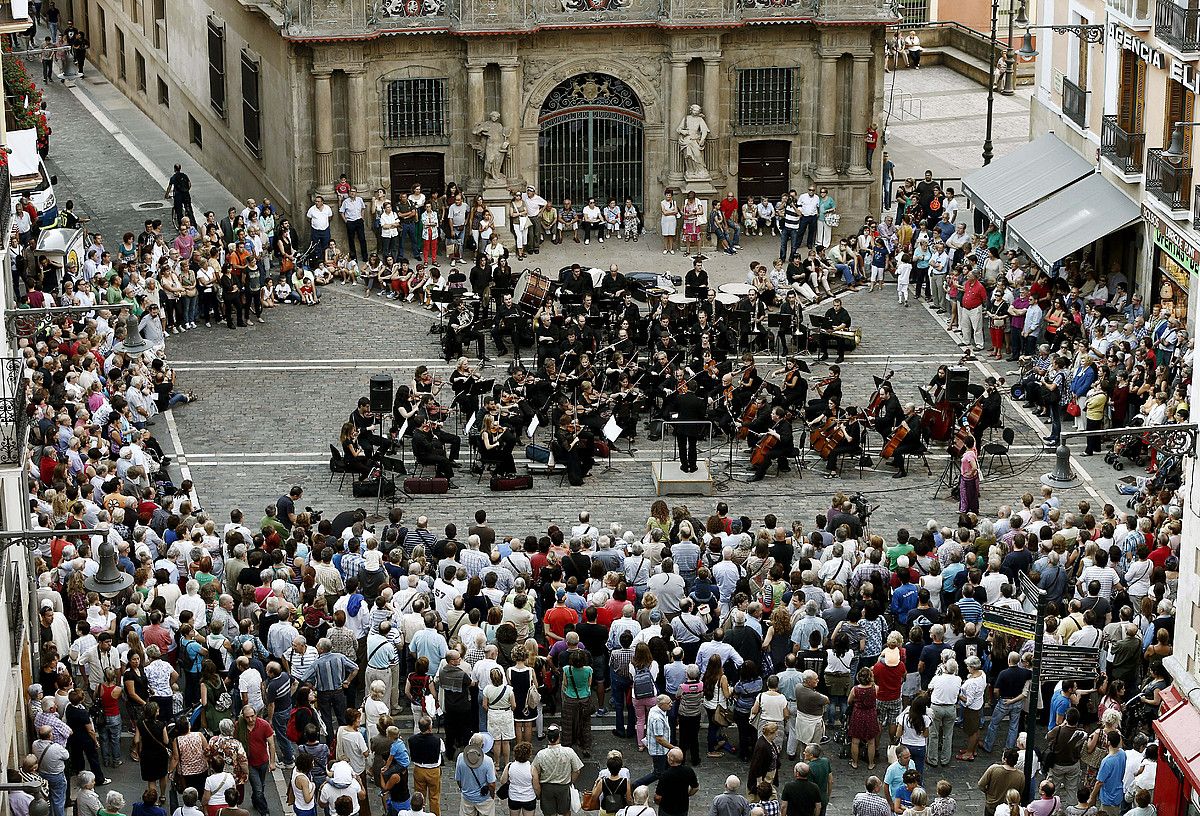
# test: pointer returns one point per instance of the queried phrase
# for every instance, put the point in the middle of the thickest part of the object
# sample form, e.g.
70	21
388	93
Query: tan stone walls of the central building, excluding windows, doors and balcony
296	75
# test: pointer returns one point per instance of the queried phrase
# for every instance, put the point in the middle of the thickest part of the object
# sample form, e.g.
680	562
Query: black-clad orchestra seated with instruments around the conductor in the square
610	355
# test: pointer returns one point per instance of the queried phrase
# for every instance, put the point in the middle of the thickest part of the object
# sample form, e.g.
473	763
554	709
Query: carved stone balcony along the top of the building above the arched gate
319	20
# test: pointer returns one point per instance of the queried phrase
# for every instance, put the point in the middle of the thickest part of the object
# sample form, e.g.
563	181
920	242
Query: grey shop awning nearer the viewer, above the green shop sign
1071	220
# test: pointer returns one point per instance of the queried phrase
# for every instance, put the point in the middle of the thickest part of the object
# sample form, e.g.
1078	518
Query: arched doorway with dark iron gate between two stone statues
590	141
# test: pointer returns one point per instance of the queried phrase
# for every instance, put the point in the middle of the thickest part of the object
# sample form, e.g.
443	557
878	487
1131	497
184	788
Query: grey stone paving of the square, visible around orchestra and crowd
274	397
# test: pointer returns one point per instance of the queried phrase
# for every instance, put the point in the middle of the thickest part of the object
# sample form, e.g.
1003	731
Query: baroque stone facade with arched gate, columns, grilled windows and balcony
591	94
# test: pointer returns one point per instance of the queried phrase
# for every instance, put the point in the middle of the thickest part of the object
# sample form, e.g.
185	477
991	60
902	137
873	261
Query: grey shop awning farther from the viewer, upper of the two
1019	181
